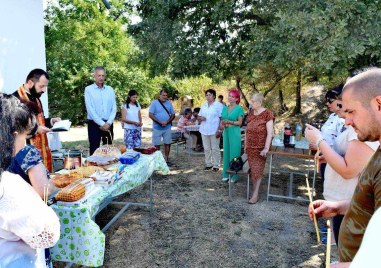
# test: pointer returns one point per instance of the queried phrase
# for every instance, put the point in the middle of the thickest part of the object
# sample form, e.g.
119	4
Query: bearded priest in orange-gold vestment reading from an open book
35	85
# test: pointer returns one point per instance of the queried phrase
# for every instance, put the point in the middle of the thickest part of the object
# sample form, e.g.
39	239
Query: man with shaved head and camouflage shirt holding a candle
362	104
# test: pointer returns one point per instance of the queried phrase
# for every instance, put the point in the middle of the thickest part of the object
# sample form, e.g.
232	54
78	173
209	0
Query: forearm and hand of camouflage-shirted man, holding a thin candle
328	209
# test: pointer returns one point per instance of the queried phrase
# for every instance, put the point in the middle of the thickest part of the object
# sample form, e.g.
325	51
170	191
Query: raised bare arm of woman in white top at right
356	157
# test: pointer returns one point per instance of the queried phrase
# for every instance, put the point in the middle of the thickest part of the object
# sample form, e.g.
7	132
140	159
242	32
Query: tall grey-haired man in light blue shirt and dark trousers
101	110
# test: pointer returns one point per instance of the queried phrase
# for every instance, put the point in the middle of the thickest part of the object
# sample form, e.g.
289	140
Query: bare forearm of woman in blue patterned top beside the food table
39	180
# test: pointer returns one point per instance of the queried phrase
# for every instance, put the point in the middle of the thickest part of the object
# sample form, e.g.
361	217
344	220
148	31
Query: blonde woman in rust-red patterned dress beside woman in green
259	133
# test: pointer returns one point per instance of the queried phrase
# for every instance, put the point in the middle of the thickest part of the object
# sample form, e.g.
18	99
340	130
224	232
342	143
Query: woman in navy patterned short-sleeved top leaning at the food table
17	123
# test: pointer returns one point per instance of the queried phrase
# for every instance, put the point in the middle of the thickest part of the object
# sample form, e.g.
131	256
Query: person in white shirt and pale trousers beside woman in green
210	116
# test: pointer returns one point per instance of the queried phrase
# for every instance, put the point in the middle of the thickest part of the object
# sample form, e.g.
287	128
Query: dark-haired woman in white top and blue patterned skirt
132	120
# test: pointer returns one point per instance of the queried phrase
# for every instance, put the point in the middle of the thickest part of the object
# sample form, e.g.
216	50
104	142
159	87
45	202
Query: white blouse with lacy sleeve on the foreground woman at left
27	225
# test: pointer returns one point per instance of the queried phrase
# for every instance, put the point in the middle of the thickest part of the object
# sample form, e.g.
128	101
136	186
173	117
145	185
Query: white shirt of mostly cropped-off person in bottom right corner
369	253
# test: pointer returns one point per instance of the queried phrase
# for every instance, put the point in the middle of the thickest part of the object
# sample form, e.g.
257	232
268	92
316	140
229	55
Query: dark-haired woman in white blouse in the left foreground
27	224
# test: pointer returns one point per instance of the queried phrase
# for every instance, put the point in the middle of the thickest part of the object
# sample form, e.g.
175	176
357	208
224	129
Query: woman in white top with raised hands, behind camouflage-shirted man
345	161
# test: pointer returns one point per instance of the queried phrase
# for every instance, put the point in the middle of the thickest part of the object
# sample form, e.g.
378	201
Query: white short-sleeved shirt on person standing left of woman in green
212	114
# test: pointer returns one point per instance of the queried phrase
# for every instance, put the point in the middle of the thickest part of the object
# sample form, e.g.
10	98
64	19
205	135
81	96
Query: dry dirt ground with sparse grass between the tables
194	224
